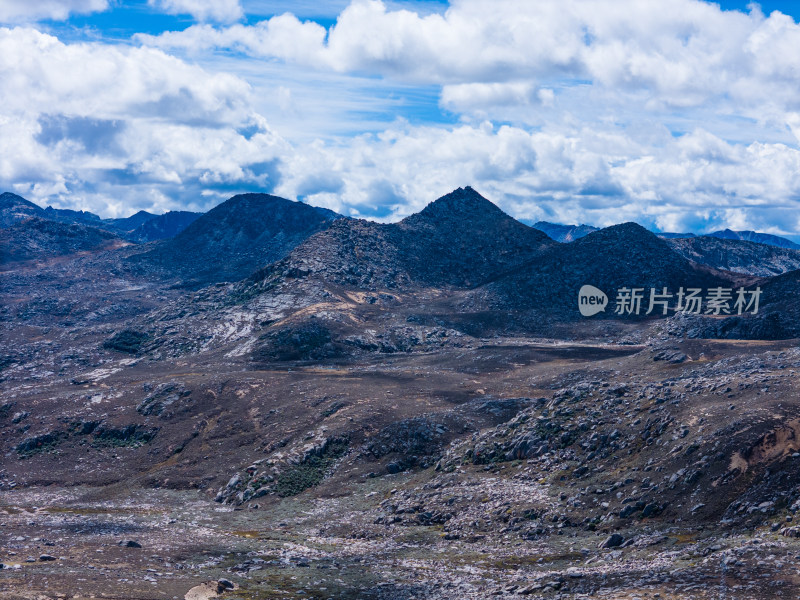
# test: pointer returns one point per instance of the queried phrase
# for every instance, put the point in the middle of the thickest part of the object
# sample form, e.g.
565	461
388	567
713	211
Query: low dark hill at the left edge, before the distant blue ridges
40	239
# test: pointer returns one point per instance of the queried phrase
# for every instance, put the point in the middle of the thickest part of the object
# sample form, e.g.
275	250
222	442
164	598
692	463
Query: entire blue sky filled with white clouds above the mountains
679	115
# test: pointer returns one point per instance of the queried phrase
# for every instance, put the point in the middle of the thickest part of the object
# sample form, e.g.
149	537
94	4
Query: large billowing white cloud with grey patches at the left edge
91	122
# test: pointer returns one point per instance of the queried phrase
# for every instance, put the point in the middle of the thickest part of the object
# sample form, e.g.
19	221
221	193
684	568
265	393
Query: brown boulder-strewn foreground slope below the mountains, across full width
506	470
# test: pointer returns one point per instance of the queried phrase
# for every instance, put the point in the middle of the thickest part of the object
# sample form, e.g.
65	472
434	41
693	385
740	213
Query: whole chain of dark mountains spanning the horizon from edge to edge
461	240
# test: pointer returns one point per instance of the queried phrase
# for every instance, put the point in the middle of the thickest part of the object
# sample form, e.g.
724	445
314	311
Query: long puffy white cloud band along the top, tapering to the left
687	51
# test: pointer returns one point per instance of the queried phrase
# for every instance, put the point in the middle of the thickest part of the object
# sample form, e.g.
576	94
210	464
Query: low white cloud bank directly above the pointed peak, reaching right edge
691	182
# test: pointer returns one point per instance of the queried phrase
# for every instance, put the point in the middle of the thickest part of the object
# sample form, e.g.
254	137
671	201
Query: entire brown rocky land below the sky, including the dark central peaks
411	410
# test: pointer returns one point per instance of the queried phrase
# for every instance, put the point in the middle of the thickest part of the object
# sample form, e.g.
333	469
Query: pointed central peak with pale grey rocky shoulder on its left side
459	240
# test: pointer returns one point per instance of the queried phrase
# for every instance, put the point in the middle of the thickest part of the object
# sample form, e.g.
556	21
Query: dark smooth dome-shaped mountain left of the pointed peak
235	238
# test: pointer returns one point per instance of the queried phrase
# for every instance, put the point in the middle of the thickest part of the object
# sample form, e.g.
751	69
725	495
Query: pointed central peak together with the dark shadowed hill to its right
463	241
